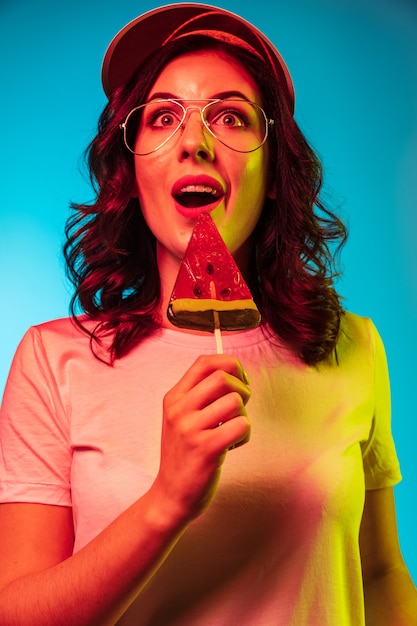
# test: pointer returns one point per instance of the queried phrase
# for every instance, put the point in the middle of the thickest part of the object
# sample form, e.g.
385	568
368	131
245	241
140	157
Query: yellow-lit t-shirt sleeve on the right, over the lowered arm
380	461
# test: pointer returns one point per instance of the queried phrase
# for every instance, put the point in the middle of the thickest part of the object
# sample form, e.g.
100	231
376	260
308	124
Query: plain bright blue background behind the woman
354	64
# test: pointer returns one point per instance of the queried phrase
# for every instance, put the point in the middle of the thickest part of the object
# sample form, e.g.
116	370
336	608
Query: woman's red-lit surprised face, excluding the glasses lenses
195	161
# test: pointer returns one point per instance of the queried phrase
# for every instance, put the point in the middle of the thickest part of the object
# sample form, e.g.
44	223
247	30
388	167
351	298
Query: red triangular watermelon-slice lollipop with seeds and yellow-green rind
210	293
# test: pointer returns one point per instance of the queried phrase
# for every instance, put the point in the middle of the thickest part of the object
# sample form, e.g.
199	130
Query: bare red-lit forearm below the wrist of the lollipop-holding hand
96	585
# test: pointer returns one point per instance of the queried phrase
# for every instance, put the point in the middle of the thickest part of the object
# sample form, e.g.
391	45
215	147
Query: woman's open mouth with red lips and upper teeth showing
196	192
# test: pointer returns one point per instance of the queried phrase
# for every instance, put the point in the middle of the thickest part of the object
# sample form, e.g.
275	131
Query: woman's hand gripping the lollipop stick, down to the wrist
204	415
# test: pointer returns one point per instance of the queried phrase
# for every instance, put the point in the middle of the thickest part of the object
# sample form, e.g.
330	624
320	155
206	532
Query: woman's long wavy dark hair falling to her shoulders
110	251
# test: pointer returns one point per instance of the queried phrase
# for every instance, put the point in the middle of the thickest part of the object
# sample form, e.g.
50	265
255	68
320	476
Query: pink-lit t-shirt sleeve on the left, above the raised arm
35	450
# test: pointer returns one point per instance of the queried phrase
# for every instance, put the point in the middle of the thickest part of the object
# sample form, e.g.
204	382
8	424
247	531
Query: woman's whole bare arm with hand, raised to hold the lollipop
97	584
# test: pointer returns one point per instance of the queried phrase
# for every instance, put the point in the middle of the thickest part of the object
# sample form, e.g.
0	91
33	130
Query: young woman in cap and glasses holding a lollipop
146	479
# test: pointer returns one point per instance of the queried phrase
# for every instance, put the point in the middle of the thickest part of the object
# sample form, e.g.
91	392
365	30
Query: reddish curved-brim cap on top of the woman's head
150	31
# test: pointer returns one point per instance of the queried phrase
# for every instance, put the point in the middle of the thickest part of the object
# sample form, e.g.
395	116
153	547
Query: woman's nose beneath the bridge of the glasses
195	139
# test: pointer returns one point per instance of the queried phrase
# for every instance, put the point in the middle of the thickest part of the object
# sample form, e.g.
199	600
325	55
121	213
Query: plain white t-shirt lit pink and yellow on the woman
279	544
